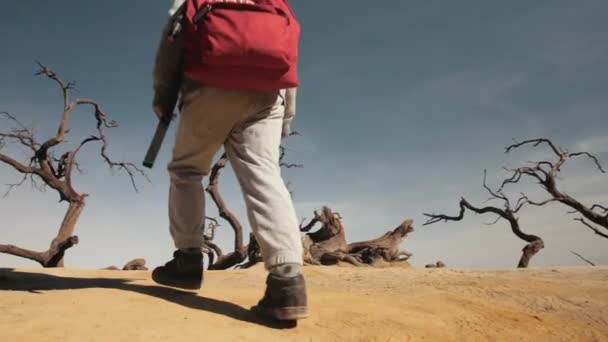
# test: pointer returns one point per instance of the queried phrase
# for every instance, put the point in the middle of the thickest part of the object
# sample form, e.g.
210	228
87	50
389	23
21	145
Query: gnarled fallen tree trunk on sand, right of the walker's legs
328	246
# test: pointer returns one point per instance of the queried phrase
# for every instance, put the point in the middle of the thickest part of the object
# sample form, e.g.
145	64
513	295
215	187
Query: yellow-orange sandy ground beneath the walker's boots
347	304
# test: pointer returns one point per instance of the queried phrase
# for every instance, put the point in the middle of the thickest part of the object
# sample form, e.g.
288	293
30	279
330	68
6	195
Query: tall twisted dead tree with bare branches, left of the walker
56	173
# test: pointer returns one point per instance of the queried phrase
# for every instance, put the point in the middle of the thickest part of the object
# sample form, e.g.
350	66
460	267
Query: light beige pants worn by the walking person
248	124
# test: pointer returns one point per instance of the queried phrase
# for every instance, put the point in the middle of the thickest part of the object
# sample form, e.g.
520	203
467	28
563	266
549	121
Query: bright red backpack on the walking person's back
241	44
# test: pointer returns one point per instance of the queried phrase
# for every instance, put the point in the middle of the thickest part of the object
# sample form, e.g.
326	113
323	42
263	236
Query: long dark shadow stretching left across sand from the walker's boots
12	280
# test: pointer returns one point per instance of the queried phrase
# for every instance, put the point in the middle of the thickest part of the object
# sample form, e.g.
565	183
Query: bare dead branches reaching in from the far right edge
546	173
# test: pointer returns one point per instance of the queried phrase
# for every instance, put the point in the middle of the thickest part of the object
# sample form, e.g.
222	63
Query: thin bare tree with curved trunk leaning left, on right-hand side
508	213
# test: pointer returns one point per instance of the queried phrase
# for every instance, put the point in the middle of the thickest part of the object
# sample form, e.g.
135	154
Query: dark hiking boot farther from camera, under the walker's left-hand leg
184	271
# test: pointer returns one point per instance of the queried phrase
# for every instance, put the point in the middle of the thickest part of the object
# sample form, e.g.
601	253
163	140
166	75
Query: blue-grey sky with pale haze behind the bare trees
402	106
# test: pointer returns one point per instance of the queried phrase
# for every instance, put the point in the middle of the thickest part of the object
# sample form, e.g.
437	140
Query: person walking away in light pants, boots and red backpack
234	65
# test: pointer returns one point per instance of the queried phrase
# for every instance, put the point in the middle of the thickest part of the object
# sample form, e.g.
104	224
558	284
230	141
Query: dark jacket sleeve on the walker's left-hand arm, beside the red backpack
167	74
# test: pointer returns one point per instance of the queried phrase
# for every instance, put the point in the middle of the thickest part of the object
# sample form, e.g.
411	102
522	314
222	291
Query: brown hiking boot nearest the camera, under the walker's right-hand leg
285	298
